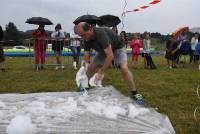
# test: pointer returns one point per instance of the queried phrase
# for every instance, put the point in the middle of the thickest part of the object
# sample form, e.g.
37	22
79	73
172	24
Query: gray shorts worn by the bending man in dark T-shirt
120	57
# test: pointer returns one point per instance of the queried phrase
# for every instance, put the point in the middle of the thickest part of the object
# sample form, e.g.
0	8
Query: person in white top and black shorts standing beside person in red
58	42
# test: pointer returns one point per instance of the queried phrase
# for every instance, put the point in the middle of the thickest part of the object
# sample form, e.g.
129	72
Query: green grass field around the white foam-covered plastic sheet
172	91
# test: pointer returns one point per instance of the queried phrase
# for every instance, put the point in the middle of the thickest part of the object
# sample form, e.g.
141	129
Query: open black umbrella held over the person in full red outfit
39	21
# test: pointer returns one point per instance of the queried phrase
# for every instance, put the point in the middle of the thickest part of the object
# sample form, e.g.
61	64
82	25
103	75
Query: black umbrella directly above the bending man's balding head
91	19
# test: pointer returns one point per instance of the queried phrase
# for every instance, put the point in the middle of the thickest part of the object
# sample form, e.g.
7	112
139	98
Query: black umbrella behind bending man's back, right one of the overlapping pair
110	20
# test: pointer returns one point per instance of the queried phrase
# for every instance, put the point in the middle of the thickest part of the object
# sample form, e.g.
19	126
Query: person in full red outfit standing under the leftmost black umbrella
40	36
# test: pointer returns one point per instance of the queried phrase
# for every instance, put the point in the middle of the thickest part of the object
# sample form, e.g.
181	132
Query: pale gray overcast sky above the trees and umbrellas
164	17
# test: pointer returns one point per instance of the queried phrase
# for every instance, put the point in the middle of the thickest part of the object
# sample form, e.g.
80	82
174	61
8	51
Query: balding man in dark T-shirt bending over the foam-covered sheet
109	47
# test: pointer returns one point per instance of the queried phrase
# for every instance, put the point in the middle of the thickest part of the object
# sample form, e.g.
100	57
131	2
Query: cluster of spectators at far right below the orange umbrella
179	48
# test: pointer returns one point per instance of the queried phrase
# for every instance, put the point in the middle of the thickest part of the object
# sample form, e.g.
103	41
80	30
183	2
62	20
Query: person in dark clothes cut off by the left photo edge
2	58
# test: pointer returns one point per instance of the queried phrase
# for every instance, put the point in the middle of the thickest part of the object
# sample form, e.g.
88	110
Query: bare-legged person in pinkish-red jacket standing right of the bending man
135	44
